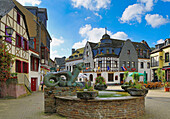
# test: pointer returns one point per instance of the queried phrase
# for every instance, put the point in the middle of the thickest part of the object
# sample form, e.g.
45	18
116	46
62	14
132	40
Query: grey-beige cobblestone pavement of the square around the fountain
31	107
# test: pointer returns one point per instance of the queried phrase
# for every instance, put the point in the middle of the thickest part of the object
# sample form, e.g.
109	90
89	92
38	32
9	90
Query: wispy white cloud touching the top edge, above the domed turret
93	5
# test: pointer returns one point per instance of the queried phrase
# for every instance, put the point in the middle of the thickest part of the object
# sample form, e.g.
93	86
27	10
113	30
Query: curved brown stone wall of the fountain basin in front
126	108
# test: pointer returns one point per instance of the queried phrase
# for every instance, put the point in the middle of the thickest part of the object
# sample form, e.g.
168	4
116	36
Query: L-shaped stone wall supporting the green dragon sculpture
51	92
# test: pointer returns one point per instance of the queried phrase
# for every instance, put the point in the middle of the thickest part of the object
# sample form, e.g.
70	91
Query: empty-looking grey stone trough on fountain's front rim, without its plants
86	95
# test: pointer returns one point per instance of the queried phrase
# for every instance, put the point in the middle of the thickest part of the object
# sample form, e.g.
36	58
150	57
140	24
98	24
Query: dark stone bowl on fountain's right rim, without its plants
137	92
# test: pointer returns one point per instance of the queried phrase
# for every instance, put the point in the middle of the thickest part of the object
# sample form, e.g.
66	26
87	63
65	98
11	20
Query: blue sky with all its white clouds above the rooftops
71	23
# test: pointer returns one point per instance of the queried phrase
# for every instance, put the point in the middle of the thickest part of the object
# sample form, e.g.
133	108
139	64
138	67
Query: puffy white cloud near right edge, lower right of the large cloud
156	20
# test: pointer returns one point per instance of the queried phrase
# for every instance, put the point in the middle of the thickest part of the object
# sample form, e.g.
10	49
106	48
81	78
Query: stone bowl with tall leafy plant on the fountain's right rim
137	89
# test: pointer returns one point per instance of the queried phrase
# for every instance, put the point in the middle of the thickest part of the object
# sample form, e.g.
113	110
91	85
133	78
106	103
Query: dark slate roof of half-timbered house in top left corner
5	7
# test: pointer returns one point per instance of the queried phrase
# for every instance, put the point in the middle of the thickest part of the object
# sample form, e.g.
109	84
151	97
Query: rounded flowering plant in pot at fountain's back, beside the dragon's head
100	83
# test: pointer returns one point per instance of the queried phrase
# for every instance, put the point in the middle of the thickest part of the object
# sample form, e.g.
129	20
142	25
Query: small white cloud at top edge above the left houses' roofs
29	2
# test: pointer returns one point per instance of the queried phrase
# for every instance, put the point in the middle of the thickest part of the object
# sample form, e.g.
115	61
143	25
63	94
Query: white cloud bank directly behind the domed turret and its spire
95	34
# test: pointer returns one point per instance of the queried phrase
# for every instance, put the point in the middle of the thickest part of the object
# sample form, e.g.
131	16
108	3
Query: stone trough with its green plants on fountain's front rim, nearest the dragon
87	92
